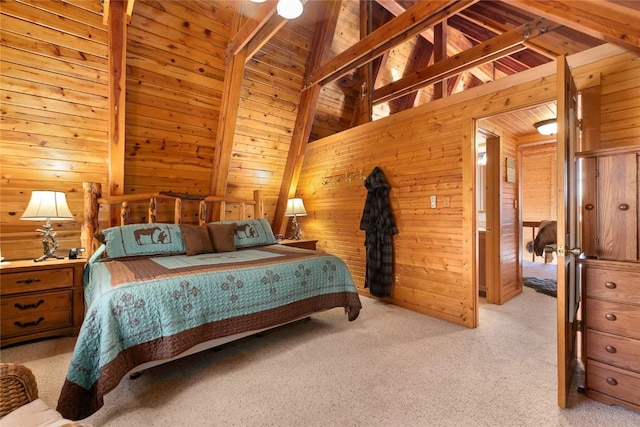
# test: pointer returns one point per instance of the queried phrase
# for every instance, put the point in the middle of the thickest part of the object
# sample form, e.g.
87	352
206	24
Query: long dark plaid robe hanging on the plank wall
378	223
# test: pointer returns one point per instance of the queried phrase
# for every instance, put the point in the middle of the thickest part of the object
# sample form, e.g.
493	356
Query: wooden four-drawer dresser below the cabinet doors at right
612	331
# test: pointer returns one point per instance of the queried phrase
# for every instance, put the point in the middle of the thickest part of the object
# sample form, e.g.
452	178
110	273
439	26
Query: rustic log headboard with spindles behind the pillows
210	208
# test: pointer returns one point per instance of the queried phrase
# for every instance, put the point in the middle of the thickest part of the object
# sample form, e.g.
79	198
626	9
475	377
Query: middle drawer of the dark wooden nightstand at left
32	304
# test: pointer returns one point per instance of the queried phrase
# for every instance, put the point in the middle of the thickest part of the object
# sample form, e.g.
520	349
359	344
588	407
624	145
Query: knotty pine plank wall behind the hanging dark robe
422	151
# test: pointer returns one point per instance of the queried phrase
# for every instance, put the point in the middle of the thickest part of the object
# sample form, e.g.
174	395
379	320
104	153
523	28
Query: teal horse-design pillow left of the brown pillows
143	239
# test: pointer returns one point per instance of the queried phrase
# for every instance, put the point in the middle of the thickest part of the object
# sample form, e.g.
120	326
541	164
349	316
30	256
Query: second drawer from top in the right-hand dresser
612	317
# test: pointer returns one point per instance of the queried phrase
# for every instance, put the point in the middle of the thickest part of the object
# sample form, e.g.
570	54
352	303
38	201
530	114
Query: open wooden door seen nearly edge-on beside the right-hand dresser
567	239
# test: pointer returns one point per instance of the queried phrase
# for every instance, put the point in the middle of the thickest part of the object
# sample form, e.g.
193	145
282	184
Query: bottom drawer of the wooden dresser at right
615	382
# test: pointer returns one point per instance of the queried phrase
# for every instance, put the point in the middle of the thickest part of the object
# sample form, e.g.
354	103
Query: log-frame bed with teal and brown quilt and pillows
158	291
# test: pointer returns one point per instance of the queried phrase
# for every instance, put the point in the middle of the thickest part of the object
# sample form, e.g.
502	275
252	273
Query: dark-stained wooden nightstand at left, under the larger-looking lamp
41	299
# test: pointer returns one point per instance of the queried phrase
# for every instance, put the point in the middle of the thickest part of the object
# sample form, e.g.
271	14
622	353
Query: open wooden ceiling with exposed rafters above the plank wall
417	51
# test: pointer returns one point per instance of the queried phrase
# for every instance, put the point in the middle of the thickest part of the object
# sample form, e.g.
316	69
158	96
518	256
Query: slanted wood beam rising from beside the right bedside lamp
320	51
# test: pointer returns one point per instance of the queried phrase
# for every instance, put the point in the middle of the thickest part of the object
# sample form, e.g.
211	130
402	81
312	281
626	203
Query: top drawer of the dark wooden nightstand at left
29	281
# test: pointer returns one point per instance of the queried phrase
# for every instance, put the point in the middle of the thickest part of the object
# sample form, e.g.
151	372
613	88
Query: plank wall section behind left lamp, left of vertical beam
54	113
